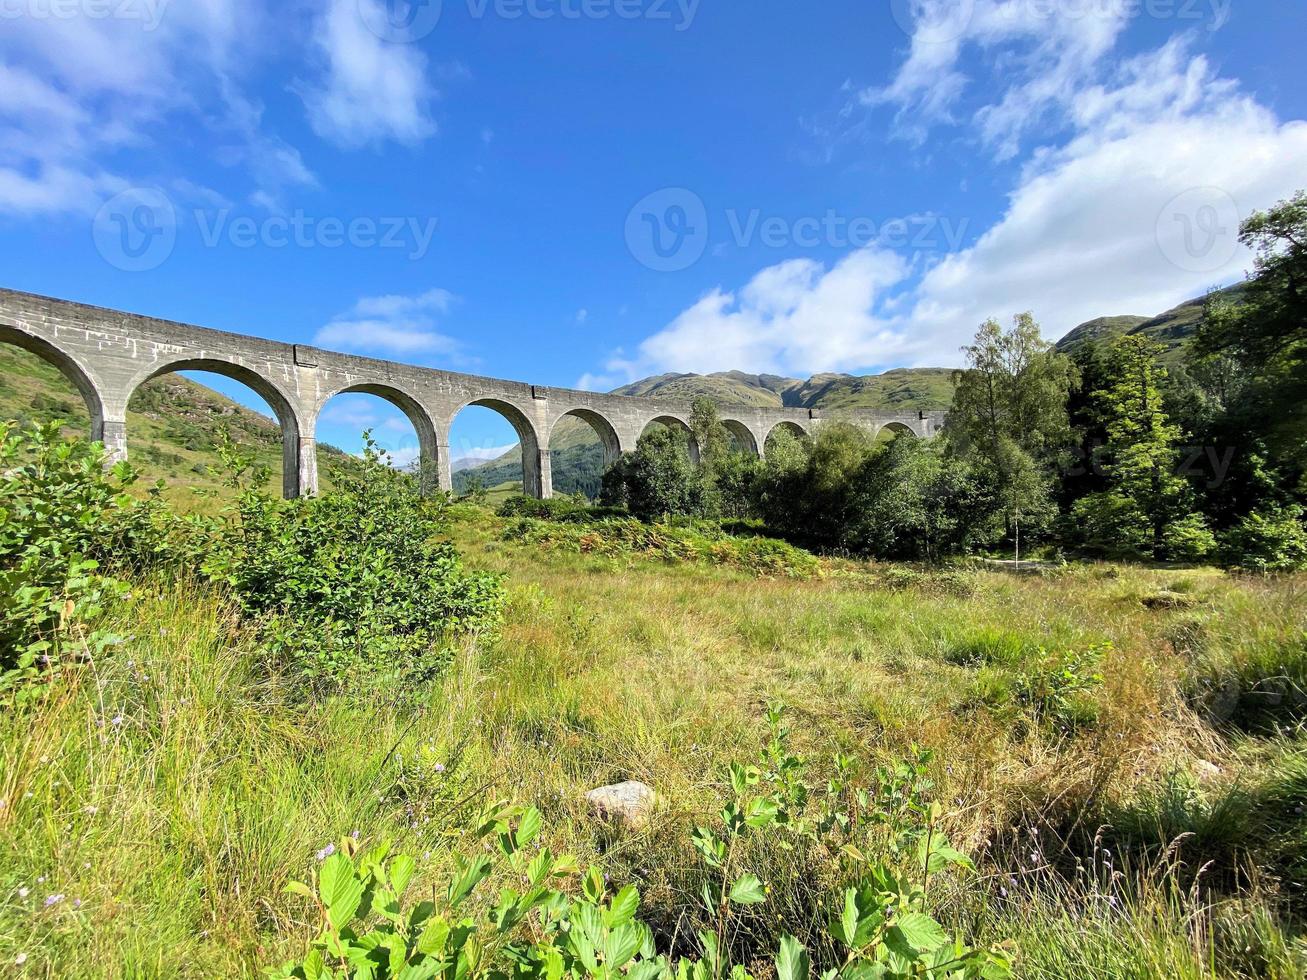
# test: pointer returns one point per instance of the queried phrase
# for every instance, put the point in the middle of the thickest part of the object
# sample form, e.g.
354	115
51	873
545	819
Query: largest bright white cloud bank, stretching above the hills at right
1135	212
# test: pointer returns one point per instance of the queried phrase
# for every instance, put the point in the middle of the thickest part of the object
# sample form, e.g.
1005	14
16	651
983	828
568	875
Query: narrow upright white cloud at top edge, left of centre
372	91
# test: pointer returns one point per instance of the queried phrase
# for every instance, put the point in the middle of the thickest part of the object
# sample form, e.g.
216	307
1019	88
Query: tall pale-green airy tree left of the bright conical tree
1010	417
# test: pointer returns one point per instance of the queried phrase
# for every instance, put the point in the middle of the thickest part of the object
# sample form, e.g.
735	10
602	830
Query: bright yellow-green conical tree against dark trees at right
1148	510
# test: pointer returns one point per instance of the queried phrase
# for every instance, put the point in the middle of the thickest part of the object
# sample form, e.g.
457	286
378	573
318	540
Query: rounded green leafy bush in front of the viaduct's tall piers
354	583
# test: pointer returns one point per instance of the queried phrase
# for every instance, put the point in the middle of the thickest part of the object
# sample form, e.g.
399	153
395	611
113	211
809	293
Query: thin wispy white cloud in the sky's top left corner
75	91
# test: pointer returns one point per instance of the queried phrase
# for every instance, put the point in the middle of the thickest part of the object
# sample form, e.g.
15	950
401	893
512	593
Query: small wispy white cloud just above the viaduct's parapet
391	325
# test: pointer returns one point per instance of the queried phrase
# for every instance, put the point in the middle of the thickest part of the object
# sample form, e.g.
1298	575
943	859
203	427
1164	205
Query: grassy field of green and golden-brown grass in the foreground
1119	748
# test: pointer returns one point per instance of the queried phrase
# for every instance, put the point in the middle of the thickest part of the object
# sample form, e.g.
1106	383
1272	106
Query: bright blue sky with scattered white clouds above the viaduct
581	193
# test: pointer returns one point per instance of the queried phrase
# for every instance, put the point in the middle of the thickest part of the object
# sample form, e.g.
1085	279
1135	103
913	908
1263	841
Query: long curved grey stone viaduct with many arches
108	355
